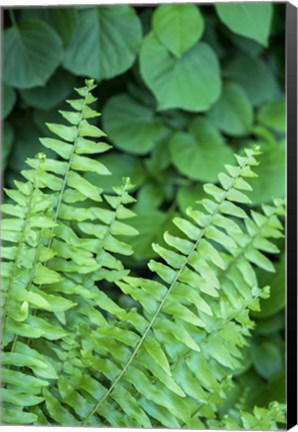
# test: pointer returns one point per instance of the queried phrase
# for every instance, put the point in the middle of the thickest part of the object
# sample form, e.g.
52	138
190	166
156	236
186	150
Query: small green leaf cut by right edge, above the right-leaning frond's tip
273	115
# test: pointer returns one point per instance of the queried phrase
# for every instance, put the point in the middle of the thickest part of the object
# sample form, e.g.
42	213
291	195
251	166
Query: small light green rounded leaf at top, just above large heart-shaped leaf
178	26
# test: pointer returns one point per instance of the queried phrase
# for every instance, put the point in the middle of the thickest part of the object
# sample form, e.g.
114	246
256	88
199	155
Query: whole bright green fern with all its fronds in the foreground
71	354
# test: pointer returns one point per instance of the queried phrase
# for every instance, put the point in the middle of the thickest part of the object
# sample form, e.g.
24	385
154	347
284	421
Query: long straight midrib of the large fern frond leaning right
187	258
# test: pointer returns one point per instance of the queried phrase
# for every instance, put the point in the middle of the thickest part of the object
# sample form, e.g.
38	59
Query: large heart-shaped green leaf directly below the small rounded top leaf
191	82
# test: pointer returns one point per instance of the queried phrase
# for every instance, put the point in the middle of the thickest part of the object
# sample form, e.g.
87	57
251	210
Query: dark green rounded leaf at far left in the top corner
37	48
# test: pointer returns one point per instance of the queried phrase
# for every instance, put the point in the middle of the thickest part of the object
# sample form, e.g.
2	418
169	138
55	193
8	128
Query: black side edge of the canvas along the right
291	308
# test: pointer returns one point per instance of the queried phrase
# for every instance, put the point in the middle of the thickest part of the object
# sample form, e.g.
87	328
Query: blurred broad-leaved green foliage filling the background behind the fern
181	88
